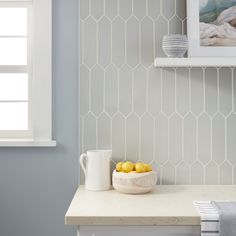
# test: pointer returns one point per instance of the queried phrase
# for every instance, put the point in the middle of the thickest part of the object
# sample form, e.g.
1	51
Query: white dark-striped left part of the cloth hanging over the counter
209	218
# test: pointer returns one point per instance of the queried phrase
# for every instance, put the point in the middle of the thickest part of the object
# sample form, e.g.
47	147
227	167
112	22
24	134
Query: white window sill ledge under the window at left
27	143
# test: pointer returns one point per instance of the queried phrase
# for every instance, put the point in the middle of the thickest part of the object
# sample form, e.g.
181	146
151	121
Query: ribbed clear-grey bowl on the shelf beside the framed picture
175	45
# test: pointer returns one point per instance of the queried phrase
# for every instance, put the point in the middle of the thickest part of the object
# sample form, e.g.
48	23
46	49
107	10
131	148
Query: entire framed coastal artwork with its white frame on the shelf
211	28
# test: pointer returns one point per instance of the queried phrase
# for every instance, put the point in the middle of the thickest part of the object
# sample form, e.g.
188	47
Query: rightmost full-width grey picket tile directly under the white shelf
225	90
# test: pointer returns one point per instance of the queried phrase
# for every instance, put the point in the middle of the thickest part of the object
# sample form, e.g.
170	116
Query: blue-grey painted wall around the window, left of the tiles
37	184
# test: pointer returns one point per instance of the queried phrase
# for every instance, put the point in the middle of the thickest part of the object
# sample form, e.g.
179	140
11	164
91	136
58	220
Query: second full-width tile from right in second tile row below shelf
204	138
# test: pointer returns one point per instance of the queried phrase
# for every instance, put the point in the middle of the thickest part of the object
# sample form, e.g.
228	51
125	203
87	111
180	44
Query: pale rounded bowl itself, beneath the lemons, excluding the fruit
134	183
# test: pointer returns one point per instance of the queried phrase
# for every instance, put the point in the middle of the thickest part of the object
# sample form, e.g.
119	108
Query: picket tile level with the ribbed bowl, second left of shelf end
132	42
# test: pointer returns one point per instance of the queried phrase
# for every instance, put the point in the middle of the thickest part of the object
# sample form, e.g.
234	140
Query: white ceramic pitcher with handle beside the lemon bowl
97	169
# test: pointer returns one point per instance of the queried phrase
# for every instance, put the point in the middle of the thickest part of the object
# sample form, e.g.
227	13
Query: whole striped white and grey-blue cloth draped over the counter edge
217	218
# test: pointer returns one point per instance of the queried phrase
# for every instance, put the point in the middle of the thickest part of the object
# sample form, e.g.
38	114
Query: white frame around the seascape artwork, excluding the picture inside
193	29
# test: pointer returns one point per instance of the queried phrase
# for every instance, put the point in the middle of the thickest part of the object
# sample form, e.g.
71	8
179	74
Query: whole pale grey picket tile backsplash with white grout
183	121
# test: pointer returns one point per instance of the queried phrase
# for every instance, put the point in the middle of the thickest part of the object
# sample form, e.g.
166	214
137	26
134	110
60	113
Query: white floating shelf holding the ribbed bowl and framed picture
195	62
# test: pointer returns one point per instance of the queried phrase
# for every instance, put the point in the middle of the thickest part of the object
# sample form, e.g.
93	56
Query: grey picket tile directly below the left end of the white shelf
154	91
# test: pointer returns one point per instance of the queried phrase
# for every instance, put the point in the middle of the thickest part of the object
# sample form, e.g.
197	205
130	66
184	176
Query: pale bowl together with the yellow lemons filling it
134	178
